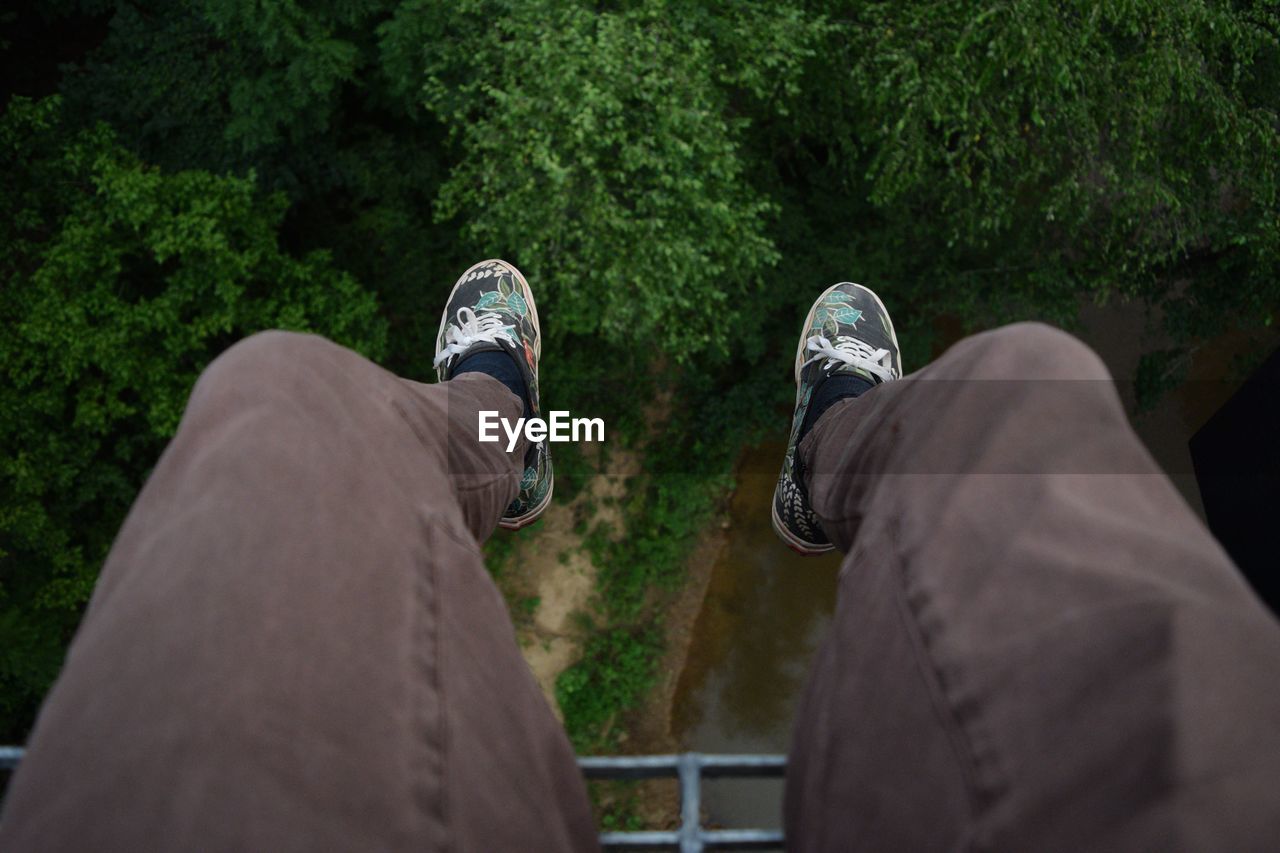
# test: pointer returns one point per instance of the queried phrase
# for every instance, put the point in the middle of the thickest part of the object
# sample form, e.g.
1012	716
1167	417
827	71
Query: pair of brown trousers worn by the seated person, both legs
294	644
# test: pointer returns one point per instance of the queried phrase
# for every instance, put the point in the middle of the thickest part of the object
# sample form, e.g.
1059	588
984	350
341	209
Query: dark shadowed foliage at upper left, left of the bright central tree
300	102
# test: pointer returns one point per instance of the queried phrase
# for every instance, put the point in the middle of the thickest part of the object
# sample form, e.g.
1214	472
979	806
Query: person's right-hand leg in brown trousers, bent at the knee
1037	646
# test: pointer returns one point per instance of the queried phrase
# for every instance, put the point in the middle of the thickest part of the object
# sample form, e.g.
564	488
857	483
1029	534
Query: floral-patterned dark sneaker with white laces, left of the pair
492	308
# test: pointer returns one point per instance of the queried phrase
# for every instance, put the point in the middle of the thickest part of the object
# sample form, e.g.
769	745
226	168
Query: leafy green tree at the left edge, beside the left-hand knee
121	284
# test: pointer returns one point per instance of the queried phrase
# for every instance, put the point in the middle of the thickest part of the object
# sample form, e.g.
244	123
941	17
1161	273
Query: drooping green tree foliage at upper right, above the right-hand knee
1007	159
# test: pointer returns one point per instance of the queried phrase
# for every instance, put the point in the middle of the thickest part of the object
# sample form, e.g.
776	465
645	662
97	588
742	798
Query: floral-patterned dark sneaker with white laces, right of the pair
848	332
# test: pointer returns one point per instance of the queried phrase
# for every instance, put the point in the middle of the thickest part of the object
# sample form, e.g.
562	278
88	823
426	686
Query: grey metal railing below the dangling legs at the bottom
689	768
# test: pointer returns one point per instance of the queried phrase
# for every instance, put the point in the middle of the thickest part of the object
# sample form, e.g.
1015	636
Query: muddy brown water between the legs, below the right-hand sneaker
765	614
